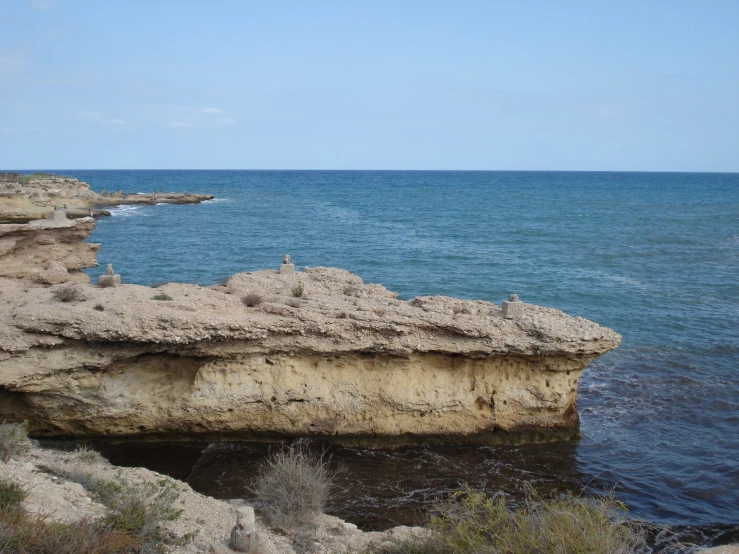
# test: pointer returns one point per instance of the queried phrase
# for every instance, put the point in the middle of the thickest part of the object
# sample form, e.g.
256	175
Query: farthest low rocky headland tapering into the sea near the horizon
38	195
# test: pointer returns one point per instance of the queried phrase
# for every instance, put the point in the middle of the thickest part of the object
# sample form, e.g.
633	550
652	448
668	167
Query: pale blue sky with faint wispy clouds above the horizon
179	84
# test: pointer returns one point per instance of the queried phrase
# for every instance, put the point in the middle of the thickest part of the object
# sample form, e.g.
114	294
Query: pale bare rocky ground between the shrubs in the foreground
205	519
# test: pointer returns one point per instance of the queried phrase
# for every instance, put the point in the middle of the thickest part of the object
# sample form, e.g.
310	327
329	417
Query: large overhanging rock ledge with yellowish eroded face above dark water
346	360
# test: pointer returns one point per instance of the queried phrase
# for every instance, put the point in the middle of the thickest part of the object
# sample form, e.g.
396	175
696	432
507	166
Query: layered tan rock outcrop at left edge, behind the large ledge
47	251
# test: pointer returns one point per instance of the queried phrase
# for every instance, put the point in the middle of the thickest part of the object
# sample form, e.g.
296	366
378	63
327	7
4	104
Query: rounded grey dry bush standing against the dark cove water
292	486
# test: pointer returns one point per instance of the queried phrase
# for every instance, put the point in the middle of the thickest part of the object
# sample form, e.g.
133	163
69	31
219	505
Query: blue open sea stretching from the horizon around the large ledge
655	256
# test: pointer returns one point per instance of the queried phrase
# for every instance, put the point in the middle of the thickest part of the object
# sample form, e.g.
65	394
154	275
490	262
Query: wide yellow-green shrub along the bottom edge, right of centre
472	521
